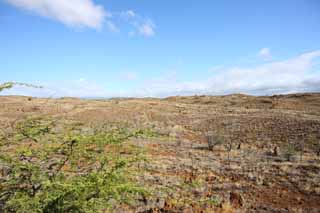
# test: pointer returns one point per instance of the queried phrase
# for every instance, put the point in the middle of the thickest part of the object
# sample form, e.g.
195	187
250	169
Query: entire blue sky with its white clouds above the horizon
96	48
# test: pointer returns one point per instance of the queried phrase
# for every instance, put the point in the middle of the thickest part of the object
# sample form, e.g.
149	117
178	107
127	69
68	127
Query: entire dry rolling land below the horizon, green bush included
196	154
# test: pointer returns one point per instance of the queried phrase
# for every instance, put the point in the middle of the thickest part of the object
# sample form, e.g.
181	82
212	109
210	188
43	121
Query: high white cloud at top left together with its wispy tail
86	13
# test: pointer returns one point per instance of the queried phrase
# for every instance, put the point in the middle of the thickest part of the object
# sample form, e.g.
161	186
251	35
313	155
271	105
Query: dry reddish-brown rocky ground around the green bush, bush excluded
254	168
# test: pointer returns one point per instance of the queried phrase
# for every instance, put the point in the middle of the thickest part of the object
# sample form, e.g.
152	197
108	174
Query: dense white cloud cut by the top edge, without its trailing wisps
75	13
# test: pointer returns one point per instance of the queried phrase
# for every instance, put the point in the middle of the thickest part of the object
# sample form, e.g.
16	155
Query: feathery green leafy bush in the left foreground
68	171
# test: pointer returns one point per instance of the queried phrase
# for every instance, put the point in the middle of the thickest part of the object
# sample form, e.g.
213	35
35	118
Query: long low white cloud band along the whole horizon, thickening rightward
297	74
